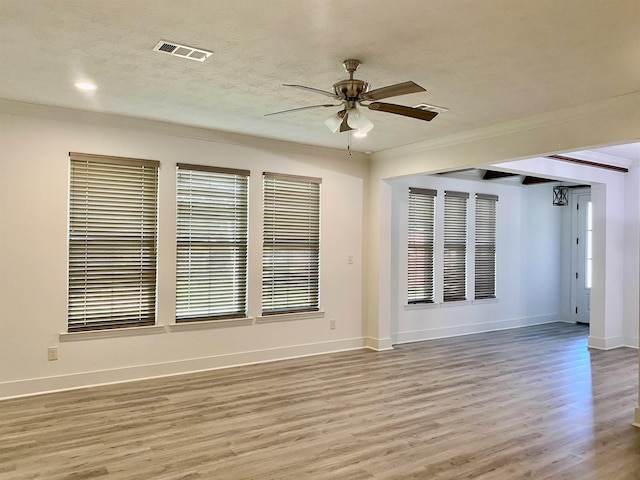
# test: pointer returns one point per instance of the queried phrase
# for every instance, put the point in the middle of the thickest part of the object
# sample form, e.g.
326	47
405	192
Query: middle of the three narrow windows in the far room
455	246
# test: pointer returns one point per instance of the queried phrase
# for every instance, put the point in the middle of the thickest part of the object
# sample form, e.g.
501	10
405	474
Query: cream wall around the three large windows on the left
33	252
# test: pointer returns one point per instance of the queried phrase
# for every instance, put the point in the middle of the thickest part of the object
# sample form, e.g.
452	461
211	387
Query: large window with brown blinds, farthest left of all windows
112	242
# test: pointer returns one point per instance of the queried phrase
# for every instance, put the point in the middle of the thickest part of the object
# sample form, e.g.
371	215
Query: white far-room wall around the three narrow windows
527	263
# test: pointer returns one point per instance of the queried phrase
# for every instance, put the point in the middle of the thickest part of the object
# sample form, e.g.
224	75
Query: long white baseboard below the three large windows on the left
35	386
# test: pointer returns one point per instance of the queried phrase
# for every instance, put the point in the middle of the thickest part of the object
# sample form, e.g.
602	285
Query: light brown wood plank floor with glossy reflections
531	403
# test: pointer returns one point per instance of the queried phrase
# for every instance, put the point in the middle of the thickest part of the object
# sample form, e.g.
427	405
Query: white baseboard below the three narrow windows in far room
455	331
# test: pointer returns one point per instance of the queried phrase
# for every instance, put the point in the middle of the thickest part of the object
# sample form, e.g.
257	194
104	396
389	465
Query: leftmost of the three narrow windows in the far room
420	245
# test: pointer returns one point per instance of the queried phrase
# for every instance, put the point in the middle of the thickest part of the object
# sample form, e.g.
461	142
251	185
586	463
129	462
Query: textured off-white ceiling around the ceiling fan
488	61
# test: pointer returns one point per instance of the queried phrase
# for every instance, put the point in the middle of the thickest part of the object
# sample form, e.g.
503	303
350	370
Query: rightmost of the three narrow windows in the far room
485	276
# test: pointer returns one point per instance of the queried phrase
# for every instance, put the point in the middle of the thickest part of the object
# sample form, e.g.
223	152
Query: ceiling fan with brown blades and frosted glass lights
355	94
